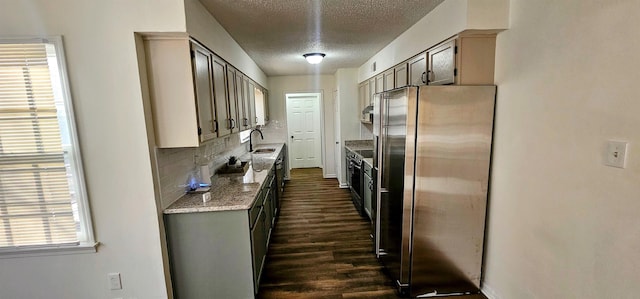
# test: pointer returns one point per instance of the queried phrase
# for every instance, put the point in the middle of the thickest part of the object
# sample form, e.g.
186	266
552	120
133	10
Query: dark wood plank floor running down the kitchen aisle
321	247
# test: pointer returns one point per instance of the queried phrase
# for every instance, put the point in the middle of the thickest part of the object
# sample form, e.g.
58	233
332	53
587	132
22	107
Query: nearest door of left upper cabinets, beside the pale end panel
204	92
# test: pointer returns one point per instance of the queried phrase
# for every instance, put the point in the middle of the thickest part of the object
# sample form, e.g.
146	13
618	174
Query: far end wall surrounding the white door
276	130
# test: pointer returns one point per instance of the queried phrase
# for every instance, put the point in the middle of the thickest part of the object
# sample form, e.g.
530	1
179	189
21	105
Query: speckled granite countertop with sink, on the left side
231	192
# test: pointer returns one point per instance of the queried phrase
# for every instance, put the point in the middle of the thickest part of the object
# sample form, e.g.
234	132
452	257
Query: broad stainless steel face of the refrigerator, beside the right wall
453	151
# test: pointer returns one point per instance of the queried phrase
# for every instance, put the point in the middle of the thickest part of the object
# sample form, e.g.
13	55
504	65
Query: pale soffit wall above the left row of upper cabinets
202	26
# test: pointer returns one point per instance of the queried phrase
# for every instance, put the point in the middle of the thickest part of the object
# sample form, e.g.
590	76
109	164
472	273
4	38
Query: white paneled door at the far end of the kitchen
303	122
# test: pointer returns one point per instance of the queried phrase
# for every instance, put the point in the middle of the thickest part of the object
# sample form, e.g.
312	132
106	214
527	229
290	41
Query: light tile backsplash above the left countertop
175	165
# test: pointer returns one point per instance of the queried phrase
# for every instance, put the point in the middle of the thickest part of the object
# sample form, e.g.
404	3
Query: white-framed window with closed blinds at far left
43	202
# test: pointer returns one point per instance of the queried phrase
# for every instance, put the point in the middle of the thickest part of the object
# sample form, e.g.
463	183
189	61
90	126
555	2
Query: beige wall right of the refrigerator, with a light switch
561	224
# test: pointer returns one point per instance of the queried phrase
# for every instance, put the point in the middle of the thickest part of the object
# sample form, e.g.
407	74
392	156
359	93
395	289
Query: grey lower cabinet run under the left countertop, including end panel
221	254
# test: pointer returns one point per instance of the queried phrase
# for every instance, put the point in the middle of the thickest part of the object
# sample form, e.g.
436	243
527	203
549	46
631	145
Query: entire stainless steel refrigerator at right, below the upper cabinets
433	150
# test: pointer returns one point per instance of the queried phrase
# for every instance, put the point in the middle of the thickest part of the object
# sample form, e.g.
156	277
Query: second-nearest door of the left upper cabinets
220	97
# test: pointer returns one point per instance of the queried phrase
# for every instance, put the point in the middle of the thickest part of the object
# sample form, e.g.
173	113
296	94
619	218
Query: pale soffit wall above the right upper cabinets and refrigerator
447	19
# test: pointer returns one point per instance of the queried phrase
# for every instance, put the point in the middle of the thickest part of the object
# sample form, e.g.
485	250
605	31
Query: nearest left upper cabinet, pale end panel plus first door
174	82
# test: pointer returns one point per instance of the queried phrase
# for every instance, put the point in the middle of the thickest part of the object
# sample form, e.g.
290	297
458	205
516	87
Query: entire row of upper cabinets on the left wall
196	96
